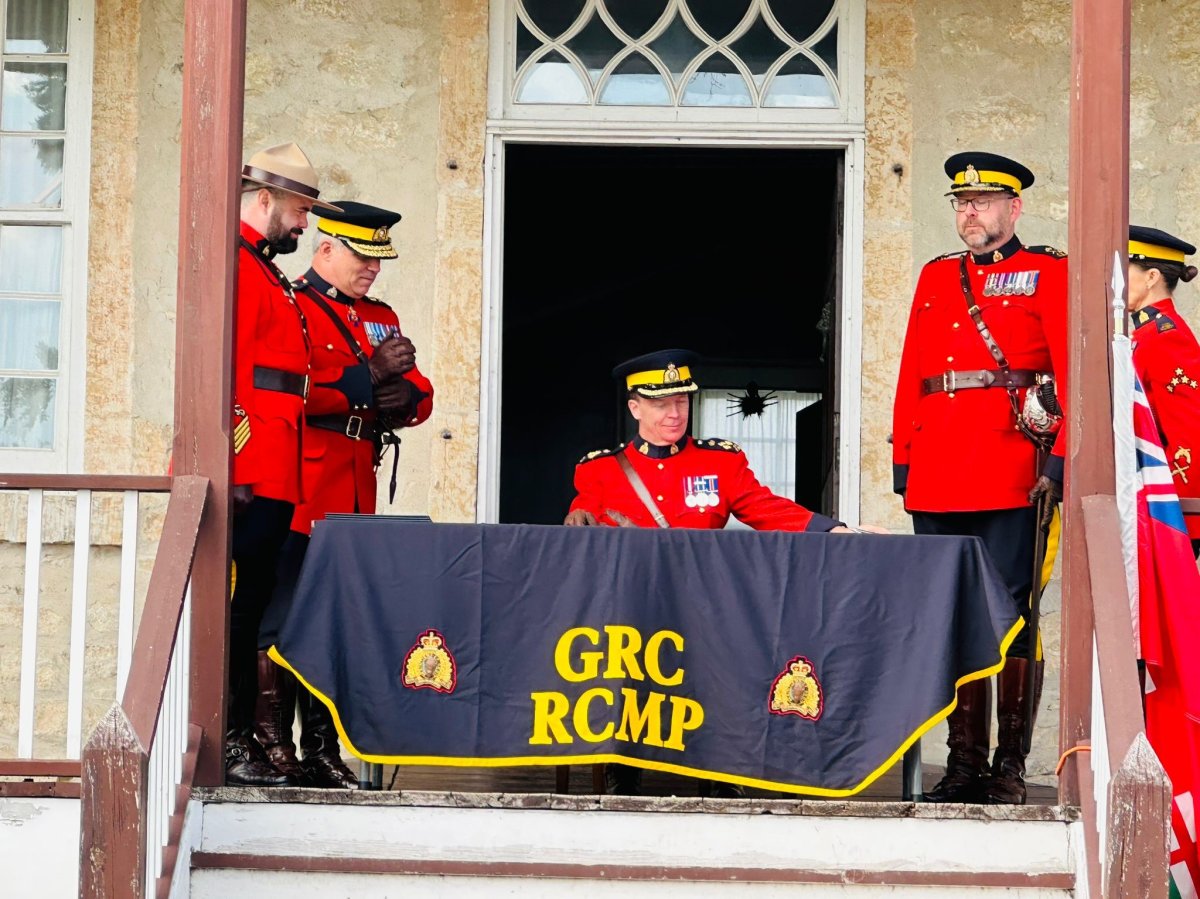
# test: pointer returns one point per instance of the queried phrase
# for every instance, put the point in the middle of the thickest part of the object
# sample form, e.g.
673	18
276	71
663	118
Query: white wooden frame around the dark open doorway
667	127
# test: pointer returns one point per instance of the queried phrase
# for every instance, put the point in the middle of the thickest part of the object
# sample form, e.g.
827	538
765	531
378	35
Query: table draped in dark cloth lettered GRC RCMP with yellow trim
793	662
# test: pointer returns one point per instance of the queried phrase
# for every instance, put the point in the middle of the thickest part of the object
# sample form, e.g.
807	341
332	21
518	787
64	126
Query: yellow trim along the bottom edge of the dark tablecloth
598	759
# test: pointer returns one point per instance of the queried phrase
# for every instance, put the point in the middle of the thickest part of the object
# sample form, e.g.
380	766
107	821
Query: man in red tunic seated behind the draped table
688	483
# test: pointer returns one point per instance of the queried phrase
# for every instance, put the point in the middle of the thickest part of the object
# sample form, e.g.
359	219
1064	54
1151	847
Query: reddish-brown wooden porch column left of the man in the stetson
214	77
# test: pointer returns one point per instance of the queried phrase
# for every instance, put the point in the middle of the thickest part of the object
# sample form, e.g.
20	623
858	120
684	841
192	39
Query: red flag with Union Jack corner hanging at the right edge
1171	634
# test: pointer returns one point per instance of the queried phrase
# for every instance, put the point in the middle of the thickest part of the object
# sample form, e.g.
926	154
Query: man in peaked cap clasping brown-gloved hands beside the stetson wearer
365	385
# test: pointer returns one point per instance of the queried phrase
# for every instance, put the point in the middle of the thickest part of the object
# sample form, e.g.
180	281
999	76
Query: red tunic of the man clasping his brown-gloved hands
340	445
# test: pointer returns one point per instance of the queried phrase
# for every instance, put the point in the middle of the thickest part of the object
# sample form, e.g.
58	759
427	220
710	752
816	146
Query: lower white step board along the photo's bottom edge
281	885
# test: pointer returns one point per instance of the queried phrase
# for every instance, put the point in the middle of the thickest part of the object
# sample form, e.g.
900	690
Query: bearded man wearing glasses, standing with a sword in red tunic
987	339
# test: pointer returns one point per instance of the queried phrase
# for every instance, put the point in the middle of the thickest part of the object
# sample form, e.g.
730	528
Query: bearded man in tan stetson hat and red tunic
271	382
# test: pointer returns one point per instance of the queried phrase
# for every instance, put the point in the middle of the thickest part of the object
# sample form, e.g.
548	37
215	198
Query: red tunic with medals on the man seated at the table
697	484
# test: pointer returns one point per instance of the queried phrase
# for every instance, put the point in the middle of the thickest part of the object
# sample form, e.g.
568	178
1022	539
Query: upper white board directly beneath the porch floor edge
619	838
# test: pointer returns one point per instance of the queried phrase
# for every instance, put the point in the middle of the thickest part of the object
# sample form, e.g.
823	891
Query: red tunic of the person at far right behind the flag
1167	358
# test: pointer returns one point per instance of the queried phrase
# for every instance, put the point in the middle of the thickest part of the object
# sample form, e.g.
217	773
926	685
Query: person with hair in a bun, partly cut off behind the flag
1167	358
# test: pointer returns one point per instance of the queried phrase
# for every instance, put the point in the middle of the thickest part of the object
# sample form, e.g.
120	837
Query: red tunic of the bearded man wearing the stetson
271	369
